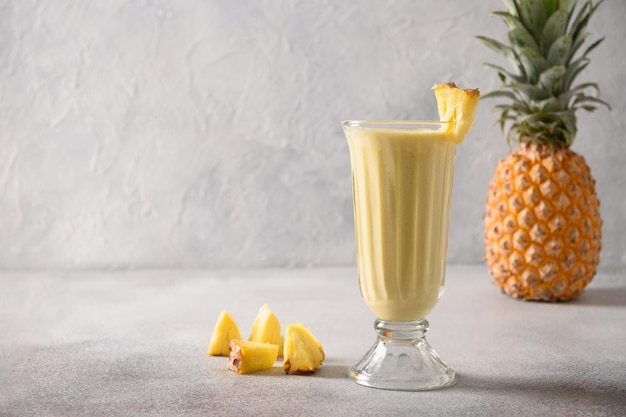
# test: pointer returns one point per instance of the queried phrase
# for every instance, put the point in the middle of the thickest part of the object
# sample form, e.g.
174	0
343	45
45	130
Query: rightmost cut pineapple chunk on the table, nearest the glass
302	352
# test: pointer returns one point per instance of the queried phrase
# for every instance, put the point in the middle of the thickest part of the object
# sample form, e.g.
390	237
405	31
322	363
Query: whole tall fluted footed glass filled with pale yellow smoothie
402	183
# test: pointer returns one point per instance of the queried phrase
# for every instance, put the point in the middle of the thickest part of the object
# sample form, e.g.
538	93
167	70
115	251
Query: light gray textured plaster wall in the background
206	133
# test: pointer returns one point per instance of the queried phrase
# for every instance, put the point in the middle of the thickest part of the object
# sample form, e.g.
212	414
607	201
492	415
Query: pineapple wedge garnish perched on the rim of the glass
458	107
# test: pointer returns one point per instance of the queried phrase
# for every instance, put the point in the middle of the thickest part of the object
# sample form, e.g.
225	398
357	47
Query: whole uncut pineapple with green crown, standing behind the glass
542	222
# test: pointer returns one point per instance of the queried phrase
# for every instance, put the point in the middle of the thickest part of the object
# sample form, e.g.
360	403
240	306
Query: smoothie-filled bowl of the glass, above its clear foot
402	182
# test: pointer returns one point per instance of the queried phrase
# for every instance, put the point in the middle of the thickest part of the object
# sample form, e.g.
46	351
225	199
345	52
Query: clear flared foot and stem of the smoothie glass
402	359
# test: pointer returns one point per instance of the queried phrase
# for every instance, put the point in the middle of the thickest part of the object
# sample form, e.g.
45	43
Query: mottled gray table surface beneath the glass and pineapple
133	343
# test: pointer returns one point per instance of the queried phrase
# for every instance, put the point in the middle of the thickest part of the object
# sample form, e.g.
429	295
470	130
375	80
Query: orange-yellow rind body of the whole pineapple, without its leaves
543	228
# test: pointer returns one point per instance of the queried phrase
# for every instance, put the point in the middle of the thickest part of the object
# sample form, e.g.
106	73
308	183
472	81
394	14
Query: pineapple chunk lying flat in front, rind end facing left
246	356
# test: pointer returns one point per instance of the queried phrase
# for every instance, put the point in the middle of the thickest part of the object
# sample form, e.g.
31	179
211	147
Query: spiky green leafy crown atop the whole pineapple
545	40
